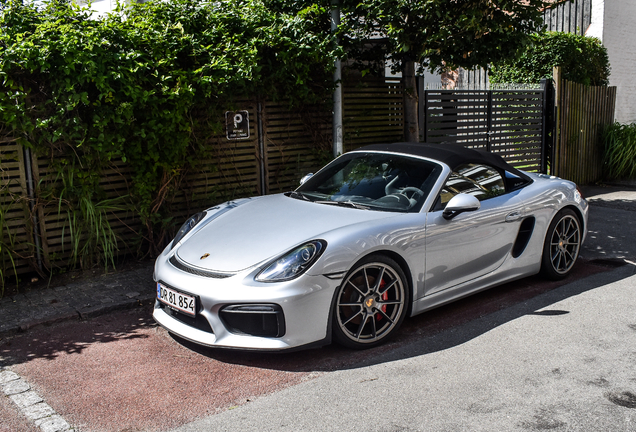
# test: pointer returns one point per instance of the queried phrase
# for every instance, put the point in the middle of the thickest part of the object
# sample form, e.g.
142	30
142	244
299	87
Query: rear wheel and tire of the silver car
562	245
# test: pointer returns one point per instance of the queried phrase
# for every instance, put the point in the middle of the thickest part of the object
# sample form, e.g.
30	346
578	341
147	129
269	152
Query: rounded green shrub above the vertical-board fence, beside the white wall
584	60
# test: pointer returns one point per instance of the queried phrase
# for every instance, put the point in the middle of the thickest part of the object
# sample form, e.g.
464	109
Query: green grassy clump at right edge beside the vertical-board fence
619	142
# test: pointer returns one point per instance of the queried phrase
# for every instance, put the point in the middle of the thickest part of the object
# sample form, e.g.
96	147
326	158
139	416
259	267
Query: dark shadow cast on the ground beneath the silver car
434	330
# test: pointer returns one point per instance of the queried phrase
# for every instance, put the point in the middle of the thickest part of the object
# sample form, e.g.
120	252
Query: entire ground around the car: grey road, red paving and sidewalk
560	360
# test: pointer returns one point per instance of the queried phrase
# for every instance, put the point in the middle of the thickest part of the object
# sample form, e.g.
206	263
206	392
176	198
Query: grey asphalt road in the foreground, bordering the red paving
562	361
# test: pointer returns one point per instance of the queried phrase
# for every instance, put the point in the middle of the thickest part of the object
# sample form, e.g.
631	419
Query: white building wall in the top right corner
616	28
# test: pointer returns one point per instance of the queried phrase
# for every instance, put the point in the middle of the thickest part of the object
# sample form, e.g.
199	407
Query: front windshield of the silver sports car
374	181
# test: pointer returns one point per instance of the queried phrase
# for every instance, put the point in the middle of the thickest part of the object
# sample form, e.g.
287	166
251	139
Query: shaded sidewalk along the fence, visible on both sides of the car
611	234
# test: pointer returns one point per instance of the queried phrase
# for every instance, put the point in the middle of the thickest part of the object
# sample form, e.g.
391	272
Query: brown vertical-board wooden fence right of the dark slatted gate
581	114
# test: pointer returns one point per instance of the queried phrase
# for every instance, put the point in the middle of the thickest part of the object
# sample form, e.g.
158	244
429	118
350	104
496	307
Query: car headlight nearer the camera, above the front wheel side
293	263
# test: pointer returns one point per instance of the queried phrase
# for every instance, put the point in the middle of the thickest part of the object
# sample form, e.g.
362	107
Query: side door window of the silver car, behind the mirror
479	180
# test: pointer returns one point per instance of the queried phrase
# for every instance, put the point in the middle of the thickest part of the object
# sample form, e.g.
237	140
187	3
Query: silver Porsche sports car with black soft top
379	234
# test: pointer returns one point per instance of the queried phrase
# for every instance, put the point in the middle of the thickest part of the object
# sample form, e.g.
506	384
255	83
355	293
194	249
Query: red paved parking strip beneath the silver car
120	372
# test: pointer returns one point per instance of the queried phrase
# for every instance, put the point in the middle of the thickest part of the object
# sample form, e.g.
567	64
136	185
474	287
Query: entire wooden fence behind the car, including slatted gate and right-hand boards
285	144
